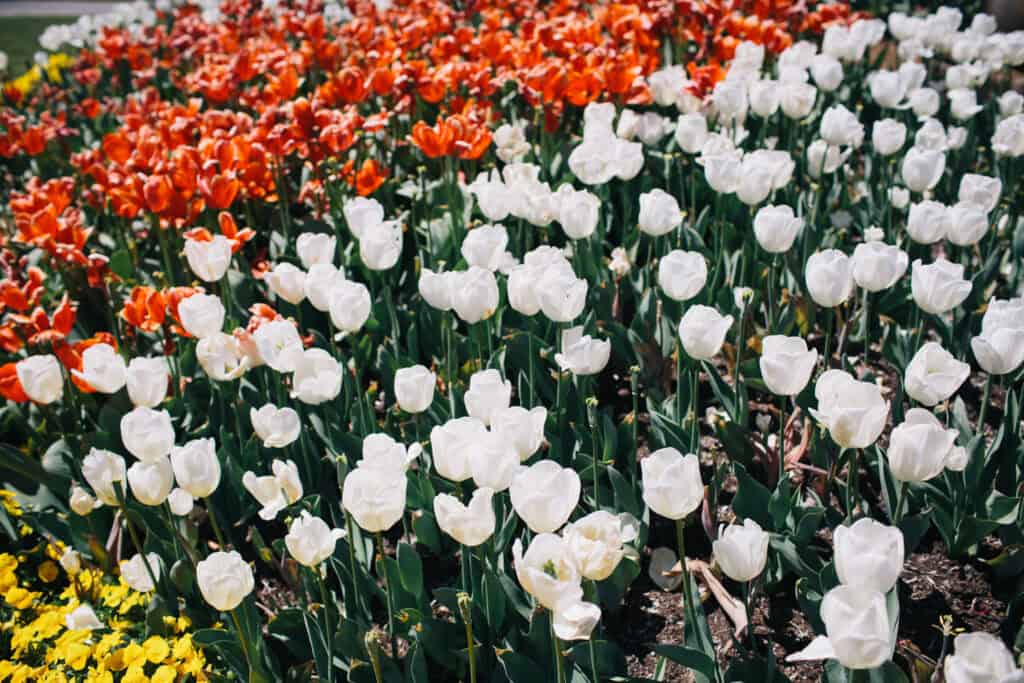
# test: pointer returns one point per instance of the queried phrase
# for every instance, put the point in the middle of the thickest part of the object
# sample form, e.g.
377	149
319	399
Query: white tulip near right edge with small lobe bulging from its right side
921	448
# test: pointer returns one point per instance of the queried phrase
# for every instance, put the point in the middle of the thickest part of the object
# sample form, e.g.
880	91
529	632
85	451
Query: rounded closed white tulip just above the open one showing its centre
545	495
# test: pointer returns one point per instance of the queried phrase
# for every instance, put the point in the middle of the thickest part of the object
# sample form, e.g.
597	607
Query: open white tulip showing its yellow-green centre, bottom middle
546	571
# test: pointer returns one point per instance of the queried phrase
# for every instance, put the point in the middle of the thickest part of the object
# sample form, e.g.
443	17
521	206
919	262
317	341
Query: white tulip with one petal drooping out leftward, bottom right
858	624
